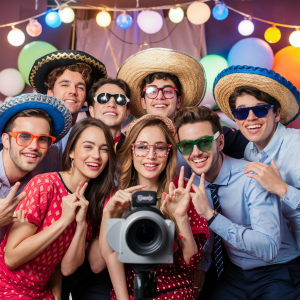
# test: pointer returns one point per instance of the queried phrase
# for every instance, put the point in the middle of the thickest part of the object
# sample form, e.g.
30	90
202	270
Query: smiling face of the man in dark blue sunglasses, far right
257	130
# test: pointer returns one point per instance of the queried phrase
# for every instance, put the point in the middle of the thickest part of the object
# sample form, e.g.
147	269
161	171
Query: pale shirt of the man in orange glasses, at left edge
5	188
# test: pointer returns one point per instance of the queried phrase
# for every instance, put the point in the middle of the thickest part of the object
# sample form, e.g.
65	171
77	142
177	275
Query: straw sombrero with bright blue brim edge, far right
263	79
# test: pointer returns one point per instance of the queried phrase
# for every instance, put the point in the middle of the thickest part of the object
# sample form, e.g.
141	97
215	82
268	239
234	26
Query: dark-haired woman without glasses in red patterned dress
61	211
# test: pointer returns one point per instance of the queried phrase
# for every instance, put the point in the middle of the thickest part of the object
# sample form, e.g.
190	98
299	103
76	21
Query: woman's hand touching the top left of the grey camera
121	199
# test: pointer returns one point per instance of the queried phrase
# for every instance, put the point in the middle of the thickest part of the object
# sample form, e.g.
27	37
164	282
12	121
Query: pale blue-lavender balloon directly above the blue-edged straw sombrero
251	52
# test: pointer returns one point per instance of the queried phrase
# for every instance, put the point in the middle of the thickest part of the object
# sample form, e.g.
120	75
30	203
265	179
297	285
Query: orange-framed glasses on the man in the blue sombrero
24	139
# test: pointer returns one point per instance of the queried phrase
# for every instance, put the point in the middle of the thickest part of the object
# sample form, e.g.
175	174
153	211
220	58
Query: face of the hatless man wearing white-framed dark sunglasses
110	113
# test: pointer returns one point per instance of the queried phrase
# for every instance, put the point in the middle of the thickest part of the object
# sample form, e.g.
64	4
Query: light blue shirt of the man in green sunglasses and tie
251	225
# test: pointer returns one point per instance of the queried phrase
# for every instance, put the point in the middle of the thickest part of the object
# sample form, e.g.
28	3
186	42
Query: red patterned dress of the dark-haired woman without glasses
42	206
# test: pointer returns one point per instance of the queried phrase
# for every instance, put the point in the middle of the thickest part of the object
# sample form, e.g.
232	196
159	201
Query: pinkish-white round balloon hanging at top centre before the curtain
150	21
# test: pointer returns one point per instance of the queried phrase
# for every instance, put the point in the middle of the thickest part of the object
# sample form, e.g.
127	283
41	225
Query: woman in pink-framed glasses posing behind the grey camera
147	161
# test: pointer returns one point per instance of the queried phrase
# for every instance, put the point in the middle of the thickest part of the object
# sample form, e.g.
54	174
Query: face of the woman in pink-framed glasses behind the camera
150	167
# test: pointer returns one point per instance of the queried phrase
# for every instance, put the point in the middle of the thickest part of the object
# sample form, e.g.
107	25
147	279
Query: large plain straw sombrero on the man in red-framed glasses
188	70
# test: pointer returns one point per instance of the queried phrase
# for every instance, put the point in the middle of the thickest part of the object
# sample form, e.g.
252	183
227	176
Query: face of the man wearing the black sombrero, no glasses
70	88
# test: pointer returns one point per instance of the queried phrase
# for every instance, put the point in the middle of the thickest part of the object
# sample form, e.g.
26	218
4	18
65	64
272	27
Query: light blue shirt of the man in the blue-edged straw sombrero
284	148
